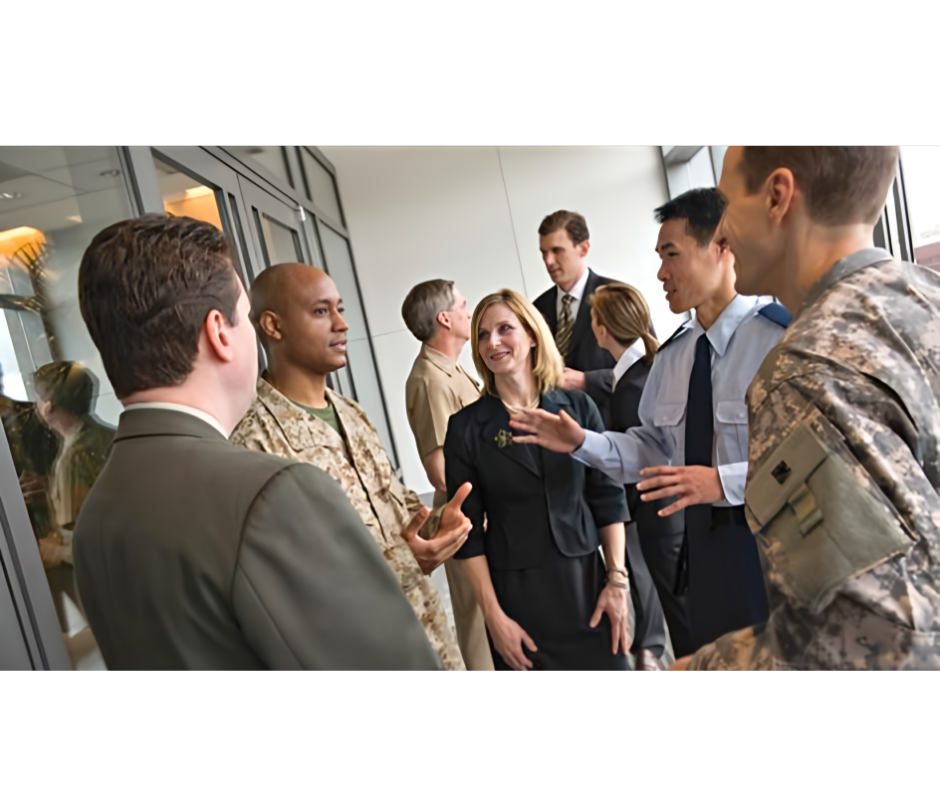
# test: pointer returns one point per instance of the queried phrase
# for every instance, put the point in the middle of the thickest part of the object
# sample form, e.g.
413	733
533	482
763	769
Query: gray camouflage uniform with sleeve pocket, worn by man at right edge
850	391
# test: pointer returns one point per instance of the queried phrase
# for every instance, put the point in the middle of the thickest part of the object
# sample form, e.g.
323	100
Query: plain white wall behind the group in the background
471	214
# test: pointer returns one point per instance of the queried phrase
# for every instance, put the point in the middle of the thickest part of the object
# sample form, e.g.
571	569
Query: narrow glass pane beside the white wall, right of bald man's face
339	266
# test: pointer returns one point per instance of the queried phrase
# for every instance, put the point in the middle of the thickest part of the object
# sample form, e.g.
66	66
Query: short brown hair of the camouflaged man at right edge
842	184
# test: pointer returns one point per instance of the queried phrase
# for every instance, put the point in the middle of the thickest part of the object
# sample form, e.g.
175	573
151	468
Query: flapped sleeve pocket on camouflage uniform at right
821	526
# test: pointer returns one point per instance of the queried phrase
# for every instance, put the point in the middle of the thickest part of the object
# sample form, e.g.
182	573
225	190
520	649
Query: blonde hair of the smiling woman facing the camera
547	366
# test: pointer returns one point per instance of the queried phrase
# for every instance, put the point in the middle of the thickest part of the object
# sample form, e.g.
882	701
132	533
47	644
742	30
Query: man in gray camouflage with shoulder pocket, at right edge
842	491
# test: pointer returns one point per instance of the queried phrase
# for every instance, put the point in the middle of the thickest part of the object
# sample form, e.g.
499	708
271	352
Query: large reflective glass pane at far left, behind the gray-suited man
55	200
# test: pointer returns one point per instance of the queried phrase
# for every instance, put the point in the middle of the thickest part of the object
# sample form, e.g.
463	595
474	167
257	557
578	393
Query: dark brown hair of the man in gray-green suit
145	287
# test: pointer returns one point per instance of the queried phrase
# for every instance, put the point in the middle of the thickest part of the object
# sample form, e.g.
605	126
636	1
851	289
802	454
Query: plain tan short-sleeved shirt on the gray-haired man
436	389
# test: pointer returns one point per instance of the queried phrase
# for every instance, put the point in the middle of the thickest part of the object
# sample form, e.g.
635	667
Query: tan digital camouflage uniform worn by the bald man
276	426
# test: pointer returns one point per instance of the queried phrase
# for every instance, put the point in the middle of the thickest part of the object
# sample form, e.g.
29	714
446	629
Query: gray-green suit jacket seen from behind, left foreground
192	553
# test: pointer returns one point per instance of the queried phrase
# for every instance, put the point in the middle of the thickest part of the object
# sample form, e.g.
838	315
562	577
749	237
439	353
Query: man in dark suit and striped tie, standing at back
564	243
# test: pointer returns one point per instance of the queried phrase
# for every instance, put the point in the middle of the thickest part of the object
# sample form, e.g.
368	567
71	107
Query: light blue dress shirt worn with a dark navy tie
740	339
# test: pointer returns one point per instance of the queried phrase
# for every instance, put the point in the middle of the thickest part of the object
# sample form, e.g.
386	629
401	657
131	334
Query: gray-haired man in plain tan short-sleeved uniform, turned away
436	313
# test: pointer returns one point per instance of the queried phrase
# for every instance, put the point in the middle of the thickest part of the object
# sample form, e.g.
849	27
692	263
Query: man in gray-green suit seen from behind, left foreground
192	553
